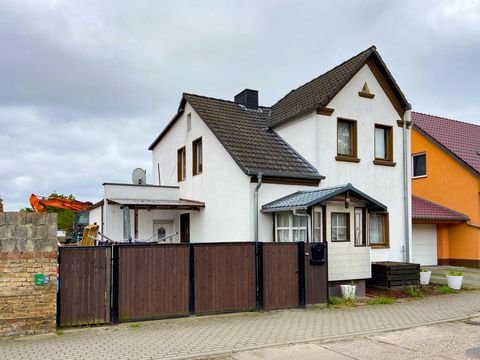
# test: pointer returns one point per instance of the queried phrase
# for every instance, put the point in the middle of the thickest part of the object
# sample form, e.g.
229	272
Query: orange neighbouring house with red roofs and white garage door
446	191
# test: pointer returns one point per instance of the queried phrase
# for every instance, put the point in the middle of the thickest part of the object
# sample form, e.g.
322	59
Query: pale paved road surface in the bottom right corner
455	340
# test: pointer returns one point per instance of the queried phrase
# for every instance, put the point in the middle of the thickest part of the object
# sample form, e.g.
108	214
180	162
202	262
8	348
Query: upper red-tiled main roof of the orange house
459	138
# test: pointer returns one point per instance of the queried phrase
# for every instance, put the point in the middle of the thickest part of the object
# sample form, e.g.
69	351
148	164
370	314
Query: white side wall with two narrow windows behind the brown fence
222	185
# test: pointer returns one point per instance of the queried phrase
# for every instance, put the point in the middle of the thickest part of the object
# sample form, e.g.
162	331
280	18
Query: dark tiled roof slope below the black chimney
245	135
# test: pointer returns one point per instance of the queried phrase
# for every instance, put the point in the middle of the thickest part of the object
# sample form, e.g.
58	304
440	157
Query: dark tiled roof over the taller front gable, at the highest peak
319	91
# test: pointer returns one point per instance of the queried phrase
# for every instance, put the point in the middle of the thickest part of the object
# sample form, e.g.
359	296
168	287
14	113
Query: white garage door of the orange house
424	239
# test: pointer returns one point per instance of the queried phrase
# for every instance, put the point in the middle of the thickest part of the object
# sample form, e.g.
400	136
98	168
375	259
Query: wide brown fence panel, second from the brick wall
153	281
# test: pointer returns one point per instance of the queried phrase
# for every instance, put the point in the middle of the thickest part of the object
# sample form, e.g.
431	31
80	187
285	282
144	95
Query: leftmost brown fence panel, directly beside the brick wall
84	293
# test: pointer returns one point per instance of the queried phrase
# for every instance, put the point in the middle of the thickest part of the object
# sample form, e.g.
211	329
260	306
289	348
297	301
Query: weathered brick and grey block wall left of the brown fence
28	260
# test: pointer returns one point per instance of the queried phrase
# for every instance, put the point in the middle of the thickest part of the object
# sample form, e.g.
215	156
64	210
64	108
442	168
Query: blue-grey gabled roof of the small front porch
302	200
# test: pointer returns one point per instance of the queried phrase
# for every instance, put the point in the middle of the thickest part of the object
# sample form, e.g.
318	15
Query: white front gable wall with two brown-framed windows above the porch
383	183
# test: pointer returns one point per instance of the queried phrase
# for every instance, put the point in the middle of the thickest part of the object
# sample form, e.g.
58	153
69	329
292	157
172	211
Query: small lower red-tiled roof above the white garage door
426	210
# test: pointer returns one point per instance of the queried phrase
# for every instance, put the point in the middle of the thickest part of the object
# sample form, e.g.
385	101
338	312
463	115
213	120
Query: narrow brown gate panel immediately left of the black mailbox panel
280	275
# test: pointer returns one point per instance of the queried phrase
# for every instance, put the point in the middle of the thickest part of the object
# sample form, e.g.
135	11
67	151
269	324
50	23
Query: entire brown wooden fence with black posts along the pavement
128	282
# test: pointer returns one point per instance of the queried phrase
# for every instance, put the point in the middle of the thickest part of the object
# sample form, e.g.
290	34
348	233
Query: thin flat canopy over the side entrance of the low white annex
180	204
